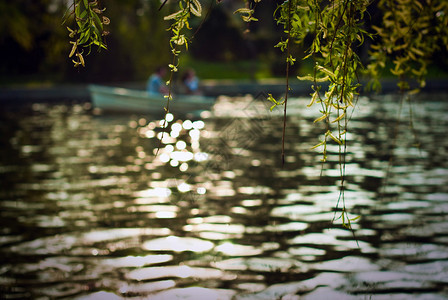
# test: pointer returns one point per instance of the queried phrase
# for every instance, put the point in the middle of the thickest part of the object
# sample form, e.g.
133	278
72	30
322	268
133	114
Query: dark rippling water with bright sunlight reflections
87	210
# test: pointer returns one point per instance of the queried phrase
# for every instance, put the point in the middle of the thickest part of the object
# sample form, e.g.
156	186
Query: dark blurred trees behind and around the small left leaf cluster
33	42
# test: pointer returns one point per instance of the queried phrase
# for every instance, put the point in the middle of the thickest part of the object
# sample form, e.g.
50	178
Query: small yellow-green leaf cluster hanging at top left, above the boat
88	29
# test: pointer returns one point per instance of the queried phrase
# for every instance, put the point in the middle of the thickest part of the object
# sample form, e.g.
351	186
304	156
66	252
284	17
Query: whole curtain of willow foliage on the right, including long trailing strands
411	32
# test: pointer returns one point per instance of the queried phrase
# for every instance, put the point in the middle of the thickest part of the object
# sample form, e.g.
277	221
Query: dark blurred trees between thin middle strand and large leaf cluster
225	37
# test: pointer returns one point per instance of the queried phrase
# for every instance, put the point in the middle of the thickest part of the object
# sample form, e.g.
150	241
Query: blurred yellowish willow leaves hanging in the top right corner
411	32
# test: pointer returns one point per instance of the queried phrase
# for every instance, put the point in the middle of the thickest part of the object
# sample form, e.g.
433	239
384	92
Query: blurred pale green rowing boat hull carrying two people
119	99
